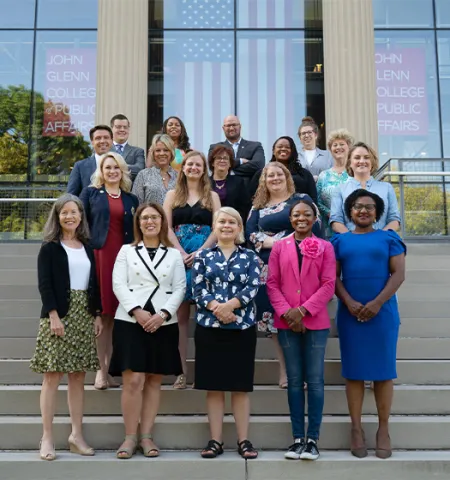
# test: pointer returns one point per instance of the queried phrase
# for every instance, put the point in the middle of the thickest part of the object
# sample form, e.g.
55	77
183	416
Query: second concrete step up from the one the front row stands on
265	400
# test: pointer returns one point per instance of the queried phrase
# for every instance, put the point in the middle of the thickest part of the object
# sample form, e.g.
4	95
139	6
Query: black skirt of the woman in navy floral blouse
224	359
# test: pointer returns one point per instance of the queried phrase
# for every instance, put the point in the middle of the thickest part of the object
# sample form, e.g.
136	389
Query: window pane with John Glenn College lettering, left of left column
64	102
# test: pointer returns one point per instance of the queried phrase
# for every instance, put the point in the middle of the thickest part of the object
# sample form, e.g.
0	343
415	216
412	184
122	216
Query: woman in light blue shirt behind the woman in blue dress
362	163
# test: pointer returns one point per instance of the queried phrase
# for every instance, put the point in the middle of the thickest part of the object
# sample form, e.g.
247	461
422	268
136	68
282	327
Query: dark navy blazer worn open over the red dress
96	206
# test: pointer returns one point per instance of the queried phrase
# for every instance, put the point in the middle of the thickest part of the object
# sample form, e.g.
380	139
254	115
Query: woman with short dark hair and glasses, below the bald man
232	190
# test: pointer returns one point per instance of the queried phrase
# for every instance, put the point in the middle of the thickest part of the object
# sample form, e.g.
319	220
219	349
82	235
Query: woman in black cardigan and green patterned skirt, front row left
70	318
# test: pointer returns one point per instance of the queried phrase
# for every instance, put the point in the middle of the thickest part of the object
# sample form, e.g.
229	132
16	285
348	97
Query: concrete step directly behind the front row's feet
191	432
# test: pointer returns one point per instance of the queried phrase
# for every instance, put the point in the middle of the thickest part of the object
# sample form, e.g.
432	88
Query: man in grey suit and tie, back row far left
134	156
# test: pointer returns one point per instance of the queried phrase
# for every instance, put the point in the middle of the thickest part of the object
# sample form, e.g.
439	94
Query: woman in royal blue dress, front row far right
370	270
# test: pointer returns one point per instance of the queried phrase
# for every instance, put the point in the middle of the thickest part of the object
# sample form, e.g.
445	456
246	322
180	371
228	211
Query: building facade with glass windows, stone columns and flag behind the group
381	68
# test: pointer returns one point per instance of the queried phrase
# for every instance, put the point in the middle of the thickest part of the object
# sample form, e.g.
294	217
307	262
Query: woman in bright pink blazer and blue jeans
300	284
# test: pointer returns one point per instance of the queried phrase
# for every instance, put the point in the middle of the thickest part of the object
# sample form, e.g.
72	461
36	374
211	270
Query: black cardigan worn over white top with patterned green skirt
54	280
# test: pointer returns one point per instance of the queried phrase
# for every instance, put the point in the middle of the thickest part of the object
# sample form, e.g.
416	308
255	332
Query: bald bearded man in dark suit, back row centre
248	156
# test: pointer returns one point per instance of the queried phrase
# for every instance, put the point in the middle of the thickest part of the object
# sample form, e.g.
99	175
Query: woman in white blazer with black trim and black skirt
149	281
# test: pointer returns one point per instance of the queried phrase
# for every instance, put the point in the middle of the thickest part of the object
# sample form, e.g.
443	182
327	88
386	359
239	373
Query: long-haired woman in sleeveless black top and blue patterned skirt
189	210
